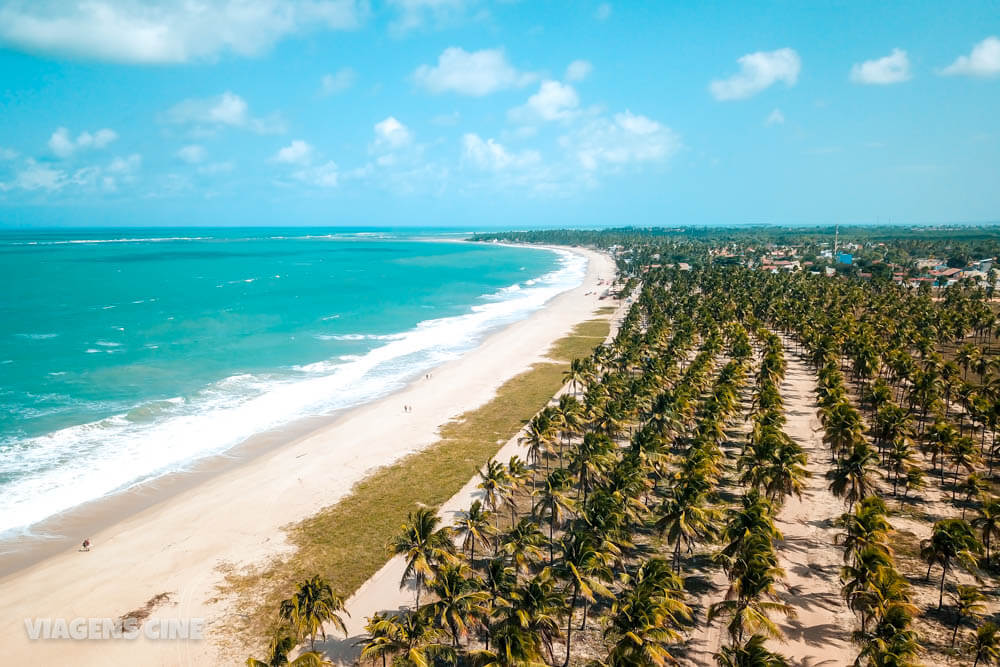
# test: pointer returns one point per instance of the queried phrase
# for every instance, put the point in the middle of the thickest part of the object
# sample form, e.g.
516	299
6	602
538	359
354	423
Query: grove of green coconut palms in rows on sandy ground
666	453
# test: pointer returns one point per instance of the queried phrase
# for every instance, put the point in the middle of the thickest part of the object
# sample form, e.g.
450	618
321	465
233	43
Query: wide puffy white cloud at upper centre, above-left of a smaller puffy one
477	73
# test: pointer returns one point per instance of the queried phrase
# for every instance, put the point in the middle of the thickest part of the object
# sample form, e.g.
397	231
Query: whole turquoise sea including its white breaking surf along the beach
128	354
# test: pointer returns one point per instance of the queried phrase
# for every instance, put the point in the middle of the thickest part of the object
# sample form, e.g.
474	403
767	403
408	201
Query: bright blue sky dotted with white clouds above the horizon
475	114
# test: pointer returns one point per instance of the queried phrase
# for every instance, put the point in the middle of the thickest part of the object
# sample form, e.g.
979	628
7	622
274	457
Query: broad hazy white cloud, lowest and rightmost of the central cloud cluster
628	138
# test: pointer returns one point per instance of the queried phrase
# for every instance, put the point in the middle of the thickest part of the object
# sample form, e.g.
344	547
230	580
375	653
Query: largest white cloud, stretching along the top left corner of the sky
129	31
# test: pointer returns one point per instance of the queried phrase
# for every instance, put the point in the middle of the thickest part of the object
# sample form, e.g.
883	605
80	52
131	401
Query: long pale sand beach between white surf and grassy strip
176	546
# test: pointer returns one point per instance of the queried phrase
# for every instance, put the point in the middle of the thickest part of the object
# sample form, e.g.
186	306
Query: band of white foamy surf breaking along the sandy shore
65	468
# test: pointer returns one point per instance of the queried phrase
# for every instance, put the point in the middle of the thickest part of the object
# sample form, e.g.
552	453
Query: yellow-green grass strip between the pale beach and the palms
346	542
